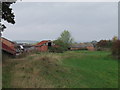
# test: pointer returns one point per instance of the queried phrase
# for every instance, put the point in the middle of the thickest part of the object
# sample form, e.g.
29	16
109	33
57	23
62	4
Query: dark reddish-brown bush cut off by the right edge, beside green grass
116	49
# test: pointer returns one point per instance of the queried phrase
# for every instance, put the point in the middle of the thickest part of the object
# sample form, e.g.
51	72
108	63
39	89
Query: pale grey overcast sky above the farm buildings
46	21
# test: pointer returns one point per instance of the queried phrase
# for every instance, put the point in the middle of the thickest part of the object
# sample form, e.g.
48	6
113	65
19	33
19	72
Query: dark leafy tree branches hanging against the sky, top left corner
6	13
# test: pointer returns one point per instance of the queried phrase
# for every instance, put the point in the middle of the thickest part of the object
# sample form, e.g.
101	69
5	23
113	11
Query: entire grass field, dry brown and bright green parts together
72	69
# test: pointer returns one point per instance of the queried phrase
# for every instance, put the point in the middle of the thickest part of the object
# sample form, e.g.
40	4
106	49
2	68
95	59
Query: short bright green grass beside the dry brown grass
96	69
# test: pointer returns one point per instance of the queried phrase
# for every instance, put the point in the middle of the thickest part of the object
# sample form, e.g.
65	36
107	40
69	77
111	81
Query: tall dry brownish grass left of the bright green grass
28	72
